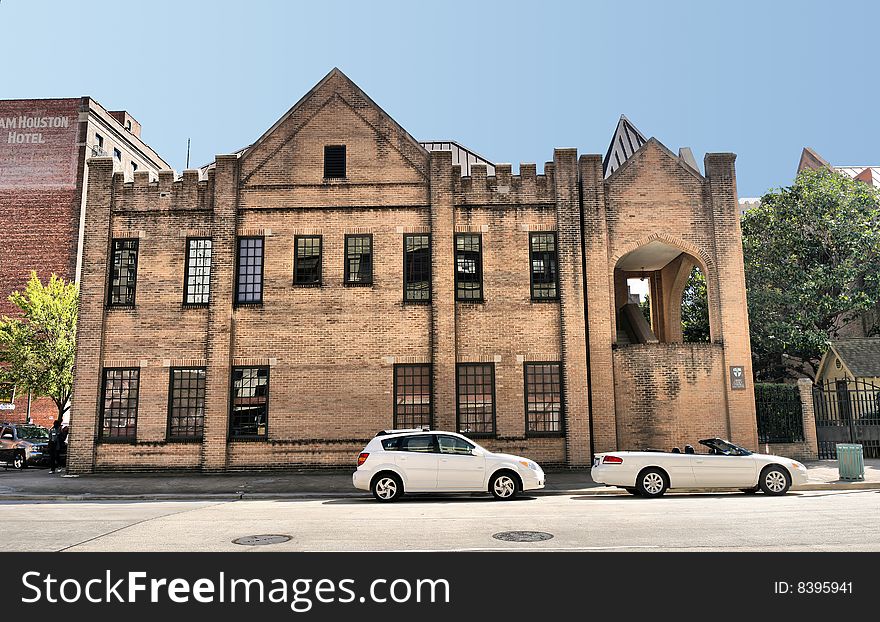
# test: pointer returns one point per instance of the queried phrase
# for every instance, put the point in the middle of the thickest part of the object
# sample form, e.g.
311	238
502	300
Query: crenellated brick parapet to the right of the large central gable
504	188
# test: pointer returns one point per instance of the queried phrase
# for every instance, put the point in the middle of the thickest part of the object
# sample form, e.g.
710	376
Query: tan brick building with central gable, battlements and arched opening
336	278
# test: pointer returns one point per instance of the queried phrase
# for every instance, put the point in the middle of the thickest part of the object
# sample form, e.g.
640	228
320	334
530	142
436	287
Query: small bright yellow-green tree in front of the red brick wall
37	349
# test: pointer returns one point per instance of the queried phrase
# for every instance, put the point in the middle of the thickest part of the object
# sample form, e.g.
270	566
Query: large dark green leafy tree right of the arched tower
812	264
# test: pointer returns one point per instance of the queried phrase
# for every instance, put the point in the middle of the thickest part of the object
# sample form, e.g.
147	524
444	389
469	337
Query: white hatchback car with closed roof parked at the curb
398	461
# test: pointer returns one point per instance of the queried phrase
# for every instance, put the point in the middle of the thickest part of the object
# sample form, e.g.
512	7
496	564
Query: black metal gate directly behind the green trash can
847	411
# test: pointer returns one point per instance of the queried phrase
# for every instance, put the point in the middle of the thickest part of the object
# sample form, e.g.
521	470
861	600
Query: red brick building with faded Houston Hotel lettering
44	146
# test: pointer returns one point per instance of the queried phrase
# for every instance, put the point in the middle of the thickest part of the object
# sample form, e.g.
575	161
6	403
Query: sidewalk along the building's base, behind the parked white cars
40	485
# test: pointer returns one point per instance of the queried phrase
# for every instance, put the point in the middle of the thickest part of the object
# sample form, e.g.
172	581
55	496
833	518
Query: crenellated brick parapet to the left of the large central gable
145	194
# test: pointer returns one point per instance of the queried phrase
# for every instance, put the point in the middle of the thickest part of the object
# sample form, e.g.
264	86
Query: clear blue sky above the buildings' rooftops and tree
511	80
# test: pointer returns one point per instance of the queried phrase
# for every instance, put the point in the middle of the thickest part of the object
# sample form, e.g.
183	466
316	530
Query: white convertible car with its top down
719	464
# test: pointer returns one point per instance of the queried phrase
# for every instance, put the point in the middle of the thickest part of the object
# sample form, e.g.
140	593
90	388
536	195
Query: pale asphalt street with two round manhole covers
799	521
